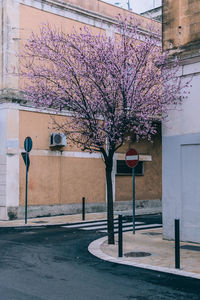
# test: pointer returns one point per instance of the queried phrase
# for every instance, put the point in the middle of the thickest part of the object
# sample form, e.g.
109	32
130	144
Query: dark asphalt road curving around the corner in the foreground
53	263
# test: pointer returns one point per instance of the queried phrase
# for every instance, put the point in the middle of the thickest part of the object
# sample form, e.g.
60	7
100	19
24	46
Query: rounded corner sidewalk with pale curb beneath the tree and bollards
161	252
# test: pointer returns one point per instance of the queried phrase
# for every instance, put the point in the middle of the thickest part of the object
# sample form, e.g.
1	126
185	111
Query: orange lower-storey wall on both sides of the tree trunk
57	179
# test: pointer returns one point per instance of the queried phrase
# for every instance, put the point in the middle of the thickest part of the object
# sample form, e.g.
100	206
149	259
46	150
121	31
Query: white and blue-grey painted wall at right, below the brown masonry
181	163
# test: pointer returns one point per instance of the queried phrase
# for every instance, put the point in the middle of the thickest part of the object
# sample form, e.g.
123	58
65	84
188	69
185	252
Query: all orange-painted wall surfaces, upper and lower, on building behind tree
60	179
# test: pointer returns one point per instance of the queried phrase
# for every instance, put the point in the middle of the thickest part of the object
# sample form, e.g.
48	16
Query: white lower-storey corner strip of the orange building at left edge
9	158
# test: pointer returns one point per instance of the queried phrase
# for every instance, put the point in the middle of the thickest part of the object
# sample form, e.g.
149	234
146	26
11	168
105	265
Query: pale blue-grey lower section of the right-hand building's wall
180	199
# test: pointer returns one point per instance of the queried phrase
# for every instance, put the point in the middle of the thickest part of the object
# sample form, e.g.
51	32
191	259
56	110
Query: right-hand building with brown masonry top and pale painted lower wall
181	135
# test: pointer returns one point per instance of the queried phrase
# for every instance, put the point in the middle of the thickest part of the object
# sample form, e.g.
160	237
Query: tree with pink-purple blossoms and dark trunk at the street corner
111	85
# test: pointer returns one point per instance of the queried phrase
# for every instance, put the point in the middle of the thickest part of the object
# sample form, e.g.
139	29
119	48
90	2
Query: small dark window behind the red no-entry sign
123	169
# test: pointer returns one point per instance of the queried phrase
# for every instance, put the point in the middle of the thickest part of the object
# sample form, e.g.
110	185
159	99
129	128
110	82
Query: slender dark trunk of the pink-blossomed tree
110	222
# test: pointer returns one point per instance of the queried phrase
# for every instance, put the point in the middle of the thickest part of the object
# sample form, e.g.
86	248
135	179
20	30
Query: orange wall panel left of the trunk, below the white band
63	180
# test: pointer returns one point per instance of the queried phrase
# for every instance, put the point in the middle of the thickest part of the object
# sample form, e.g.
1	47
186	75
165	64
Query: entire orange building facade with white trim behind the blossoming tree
58	179
